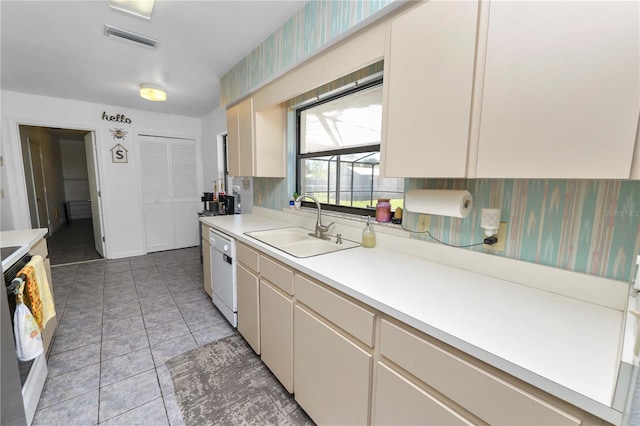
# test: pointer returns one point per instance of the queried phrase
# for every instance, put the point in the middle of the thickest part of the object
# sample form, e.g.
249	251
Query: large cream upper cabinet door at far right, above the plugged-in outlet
561	90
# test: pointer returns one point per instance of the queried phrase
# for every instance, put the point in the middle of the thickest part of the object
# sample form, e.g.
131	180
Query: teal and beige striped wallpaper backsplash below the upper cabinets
590	226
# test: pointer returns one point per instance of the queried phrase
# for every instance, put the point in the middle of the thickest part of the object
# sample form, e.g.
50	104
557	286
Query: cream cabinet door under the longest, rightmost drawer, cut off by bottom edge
400	402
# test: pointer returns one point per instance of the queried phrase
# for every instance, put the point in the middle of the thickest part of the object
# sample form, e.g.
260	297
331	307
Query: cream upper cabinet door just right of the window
428	82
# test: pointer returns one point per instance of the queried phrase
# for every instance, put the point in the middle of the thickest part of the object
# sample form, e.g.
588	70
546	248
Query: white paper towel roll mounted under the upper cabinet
441	202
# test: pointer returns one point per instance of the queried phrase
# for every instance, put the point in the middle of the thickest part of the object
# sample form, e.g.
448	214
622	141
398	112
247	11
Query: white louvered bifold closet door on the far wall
169	191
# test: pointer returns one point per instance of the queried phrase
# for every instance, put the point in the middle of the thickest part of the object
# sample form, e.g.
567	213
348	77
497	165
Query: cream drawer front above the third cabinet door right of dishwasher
352	318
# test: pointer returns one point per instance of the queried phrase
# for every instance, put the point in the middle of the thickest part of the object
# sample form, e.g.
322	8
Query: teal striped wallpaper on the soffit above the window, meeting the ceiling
316	24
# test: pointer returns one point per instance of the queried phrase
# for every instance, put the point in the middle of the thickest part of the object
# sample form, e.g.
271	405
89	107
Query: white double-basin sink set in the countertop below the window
297	241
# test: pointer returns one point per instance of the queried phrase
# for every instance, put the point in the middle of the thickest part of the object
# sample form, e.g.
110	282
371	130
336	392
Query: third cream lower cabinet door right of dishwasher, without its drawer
332	375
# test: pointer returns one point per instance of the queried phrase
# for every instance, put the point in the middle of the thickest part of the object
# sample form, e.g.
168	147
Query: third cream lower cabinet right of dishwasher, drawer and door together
333	355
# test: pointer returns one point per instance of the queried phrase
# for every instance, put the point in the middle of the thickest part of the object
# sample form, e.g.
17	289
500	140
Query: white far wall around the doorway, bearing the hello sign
121	205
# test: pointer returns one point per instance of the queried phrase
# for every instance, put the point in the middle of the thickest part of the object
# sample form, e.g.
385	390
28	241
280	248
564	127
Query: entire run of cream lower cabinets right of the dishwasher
348	364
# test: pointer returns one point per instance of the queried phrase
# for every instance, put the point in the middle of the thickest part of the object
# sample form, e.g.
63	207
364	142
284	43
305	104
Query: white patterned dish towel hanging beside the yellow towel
27	333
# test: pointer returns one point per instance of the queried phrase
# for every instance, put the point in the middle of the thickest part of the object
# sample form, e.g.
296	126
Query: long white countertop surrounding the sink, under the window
567	347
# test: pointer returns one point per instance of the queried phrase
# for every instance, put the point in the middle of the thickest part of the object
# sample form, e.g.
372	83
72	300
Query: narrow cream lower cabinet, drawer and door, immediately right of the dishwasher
248	295
